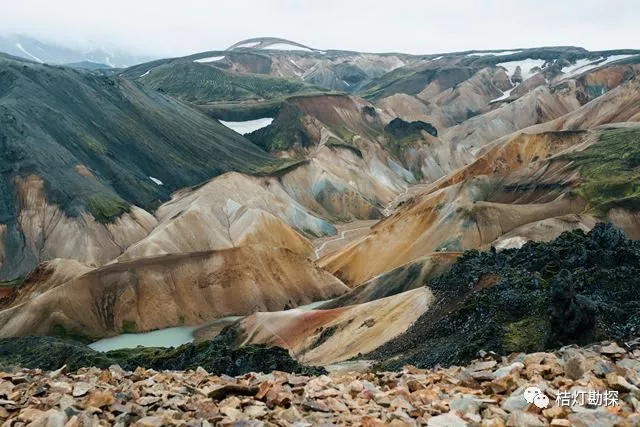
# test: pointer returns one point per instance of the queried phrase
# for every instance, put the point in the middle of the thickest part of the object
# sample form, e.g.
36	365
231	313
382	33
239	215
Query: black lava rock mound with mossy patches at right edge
577	289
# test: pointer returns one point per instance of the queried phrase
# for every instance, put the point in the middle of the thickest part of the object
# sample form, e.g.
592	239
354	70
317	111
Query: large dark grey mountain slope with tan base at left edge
80	144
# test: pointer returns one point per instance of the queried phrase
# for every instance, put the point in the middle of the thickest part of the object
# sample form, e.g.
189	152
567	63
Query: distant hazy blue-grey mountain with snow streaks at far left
50	53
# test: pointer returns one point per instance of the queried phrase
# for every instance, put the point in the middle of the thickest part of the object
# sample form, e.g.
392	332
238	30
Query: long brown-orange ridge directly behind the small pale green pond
179	289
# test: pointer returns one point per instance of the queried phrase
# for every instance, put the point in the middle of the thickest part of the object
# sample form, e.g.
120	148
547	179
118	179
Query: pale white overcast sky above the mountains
177	27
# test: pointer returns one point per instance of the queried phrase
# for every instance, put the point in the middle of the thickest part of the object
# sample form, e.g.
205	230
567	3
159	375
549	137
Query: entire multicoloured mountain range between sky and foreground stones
432	205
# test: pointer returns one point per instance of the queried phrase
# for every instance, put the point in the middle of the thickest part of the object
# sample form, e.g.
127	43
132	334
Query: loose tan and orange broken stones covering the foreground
488	392
